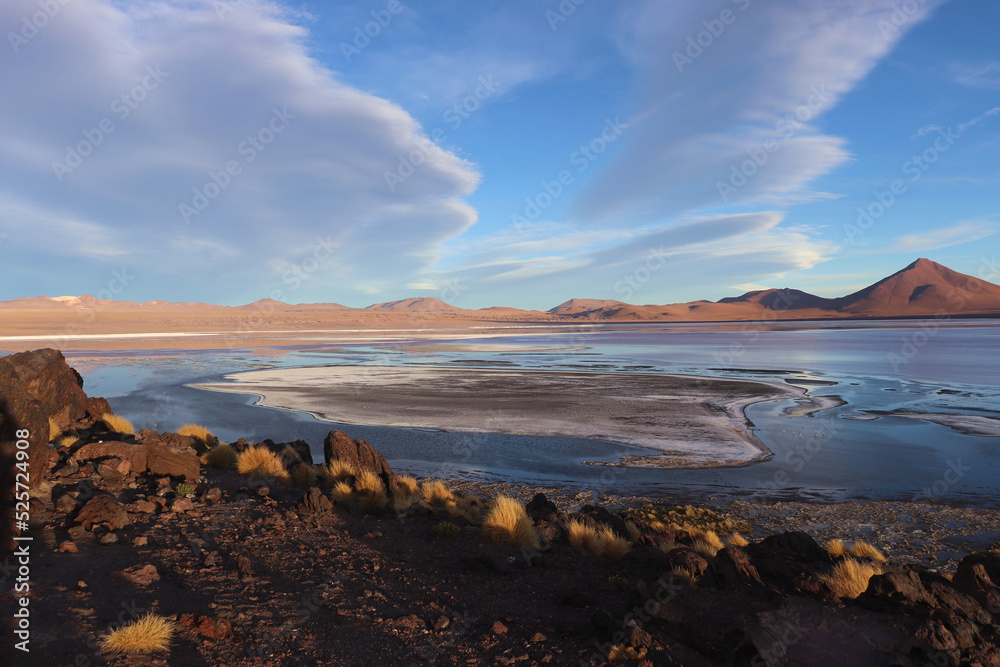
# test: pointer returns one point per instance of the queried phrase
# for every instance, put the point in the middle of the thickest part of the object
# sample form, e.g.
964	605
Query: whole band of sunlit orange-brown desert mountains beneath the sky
924	288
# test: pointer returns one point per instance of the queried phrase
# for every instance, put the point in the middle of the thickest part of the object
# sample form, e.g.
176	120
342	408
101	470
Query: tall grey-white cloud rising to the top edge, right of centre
733	119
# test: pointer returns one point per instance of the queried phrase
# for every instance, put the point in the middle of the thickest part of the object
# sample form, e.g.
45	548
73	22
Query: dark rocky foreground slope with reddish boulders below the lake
292	567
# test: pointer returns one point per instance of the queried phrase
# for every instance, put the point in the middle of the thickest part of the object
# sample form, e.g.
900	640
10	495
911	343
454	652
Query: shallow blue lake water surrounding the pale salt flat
947	367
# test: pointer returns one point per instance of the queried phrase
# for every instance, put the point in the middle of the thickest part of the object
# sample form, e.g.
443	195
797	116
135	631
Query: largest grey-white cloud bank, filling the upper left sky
218	86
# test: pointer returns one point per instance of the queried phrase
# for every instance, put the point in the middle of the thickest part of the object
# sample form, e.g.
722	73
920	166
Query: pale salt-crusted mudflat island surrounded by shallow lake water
705	417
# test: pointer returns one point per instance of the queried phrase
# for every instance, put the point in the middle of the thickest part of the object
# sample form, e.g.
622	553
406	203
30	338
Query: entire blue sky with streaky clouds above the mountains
515	153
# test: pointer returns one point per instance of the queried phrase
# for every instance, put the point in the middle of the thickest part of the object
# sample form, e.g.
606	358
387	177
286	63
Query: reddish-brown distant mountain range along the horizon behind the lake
922	289
